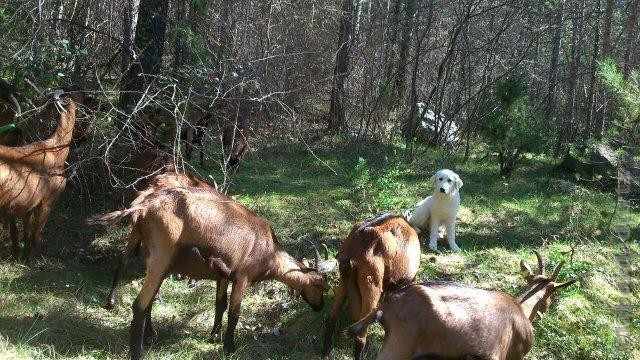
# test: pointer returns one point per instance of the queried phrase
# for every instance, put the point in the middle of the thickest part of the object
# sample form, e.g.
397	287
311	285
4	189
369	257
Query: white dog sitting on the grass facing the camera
439	209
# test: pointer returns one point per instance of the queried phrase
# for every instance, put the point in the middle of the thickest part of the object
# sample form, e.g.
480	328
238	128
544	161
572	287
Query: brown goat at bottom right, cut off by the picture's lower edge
448	321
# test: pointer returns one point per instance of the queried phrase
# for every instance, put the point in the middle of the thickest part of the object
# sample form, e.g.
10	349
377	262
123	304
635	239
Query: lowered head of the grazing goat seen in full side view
313	293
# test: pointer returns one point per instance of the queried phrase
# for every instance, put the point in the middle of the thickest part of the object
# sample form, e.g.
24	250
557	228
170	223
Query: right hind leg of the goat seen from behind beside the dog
370	285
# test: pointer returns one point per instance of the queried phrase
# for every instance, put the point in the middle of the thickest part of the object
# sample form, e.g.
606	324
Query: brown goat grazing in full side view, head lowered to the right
207	235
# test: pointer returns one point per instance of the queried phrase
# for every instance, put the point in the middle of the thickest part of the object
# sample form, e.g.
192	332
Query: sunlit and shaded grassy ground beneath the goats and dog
316	192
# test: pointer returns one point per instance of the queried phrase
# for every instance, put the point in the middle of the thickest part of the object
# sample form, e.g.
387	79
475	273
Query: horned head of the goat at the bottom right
541	282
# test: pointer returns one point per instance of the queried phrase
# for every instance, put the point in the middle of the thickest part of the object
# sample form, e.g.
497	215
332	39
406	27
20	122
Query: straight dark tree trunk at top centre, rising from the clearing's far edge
337	119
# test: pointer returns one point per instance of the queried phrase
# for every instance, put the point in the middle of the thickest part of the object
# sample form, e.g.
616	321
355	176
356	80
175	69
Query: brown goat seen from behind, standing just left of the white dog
378	256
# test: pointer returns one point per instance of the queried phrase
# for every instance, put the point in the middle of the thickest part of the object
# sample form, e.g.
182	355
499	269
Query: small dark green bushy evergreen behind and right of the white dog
512	127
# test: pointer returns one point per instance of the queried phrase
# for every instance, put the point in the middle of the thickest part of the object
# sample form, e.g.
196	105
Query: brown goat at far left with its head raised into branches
32	177
